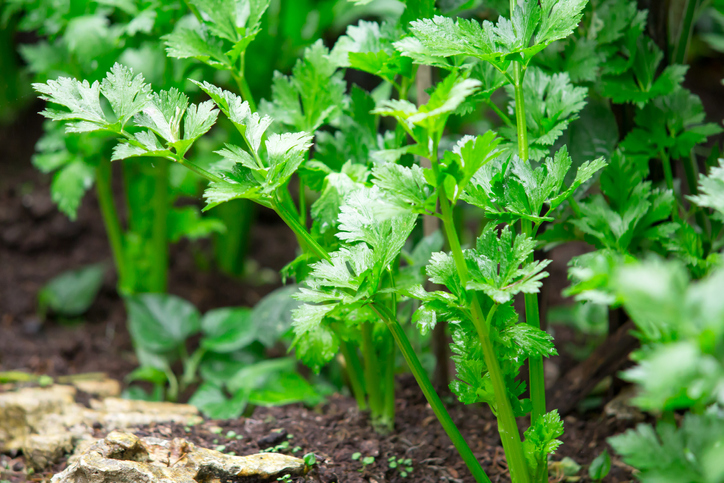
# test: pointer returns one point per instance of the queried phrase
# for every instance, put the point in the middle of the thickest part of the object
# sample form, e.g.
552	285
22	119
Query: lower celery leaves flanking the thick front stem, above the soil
499	269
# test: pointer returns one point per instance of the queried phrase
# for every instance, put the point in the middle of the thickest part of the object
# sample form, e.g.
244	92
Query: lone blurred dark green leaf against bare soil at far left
71	293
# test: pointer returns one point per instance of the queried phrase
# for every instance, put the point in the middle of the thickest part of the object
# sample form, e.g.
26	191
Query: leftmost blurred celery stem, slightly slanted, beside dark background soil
111	220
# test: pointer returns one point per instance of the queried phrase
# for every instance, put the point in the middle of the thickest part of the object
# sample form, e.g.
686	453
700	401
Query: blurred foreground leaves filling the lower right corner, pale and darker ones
679	367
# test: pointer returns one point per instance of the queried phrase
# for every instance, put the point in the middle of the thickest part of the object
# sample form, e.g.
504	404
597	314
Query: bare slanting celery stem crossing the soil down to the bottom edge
435	403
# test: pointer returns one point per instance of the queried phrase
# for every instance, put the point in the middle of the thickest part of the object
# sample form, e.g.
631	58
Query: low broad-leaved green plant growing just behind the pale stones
230	357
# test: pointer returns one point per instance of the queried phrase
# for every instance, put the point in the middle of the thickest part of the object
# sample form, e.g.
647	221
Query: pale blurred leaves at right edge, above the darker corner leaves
682	323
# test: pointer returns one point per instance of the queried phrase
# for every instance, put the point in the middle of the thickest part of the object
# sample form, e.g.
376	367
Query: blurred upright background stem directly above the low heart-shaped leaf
159	258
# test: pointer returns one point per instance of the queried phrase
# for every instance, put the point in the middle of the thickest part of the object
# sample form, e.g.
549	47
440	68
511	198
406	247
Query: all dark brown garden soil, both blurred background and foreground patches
38	243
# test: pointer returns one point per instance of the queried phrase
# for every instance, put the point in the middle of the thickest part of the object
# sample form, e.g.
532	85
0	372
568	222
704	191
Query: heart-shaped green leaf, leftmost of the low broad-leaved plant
160	322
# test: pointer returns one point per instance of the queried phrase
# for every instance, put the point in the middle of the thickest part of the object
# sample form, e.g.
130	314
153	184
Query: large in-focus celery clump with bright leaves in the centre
351	261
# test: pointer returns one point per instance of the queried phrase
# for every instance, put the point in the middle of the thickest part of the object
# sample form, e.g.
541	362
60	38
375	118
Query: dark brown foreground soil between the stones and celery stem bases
334	431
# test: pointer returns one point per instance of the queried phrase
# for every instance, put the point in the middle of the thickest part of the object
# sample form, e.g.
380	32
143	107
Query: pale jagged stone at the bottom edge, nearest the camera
123	457
